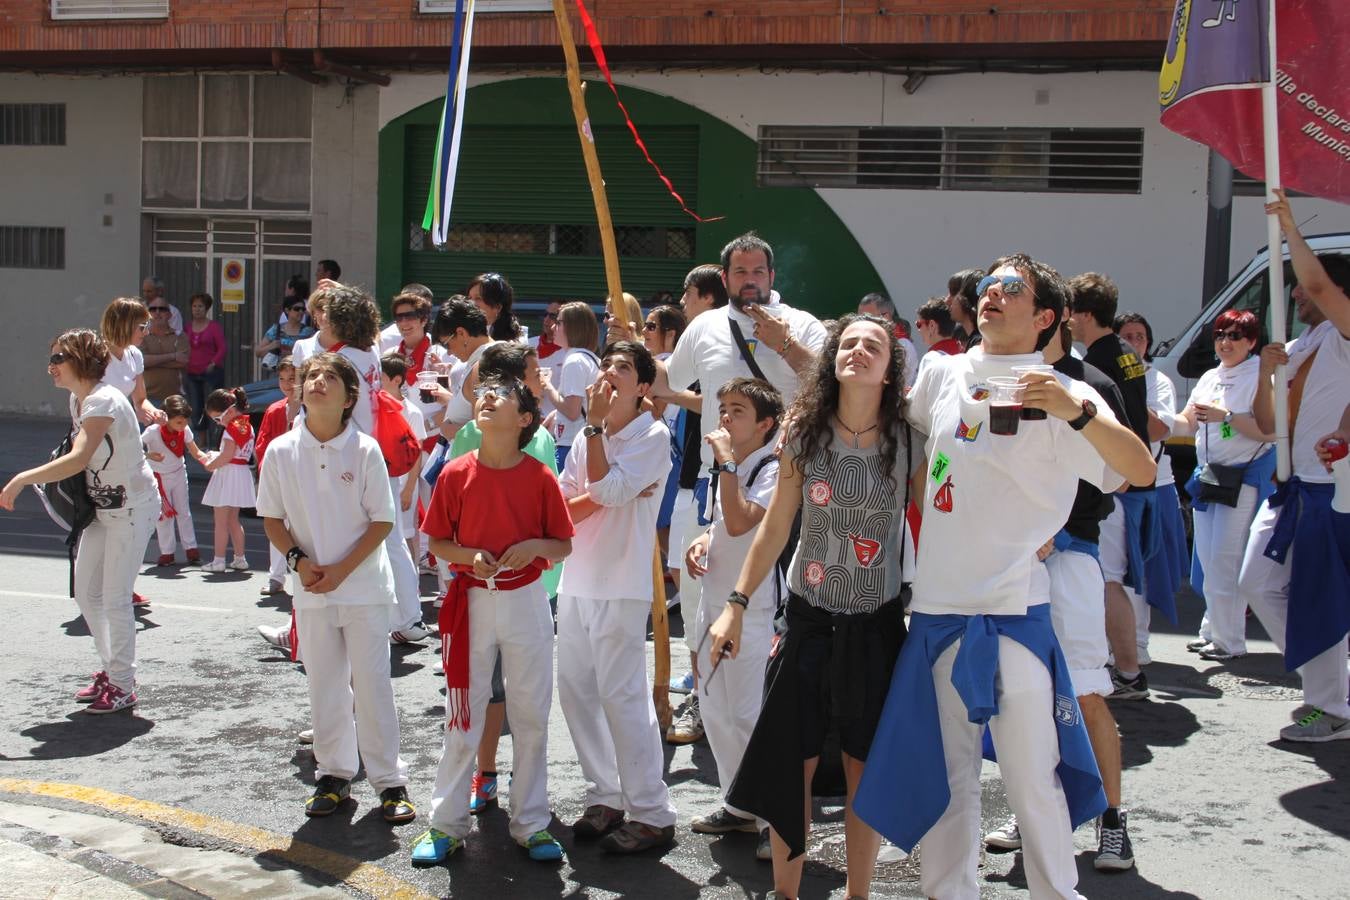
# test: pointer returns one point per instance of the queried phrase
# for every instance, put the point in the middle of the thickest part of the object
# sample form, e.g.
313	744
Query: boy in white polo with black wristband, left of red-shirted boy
326	504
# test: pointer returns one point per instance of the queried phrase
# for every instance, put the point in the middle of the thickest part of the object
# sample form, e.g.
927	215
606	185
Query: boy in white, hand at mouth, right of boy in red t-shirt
603	605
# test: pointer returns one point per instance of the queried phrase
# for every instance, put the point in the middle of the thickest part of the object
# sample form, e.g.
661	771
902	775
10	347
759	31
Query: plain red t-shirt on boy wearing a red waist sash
493	509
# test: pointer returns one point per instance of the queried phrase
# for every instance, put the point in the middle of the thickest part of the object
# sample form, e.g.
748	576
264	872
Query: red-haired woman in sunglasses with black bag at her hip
1221	411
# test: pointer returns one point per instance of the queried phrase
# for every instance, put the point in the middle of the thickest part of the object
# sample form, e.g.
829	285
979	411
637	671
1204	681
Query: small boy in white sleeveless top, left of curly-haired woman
732	690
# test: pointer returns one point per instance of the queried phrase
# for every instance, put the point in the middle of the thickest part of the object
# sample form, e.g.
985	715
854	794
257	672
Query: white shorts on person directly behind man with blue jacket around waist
1078	613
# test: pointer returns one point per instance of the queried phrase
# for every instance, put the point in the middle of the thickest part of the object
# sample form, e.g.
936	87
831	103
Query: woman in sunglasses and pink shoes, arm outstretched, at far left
107	449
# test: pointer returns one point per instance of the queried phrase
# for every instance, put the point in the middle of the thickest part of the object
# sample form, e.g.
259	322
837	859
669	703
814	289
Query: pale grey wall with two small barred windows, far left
68	187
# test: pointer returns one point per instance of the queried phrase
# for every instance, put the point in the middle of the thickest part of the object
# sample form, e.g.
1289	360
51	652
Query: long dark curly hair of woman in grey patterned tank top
817	400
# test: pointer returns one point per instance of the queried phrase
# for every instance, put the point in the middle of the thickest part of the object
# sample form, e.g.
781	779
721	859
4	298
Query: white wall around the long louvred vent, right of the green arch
1151	244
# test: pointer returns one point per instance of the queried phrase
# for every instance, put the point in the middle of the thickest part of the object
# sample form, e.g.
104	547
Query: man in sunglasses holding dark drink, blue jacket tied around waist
982	650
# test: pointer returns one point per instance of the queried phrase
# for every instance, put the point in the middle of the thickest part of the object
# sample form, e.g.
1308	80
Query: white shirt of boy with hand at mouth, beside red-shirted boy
614	546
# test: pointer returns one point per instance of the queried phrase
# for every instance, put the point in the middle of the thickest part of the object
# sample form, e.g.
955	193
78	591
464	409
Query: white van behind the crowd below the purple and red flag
1191	354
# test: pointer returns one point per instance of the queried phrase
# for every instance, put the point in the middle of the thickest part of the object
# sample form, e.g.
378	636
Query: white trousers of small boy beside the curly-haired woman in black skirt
731	700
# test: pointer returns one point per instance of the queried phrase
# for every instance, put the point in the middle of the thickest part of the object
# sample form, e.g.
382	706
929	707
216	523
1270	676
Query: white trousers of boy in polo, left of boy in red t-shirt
352	697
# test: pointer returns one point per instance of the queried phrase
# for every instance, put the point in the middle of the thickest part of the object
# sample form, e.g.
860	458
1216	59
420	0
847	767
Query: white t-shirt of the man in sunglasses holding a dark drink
992	501
